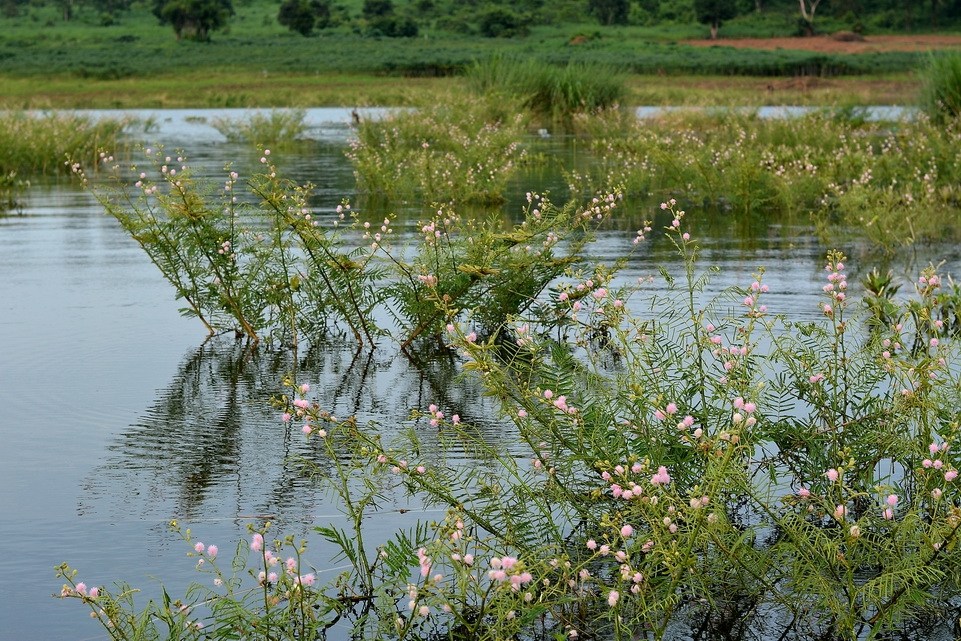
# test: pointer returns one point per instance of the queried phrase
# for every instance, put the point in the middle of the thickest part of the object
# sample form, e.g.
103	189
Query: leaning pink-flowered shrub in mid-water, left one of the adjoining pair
254	261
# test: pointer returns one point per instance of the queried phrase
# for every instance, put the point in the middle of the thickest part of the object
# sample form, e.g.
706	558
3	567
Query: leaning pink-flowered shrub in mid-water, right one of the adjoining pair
483	273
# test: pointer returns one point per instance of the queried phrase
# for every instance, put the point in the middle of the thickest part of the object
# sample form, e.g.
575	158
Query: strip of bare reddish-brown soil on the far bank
829	44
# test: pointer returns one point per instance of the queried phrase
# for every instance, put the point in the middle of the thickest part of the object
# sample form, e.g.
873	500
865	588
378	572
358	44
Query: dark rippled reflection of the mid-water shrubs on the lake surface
210	446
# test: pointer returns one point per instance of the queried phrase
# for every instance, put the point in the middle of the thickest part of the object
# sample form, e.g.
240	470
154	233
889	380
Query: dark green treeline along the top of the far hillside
196	19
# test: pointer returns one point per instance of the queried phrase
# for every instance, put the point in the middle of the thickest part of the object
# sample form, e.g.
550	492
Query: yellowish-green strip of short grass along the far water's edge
209	88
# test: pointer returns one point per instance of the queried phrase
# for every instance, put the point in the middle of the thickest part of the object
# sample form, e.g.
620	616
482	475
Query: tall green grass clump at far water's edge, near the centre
551	92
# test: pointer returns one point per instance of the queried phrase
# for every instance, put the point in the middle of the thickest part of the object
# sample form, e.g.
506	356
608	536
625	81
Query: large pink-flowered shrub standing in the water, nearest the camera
706	461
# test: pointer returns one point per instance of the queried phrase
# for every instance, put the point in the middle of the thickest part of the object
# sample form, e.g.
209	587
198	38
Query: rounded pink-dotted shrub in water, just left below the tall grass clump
461	149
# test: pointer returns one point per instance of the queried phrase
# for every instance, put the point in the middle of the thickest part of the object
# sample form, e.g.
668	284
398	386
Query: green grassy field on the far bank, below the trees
128	59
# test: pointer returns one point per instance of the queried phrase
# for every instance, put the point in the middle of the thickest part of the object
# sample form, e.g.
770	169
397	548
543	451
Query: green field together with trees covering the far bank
119	39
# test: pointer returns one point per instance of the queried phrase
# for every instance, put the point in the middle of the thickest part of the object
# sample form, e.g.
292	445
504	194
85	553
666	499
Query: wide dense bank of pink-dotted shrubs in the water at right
874	177
